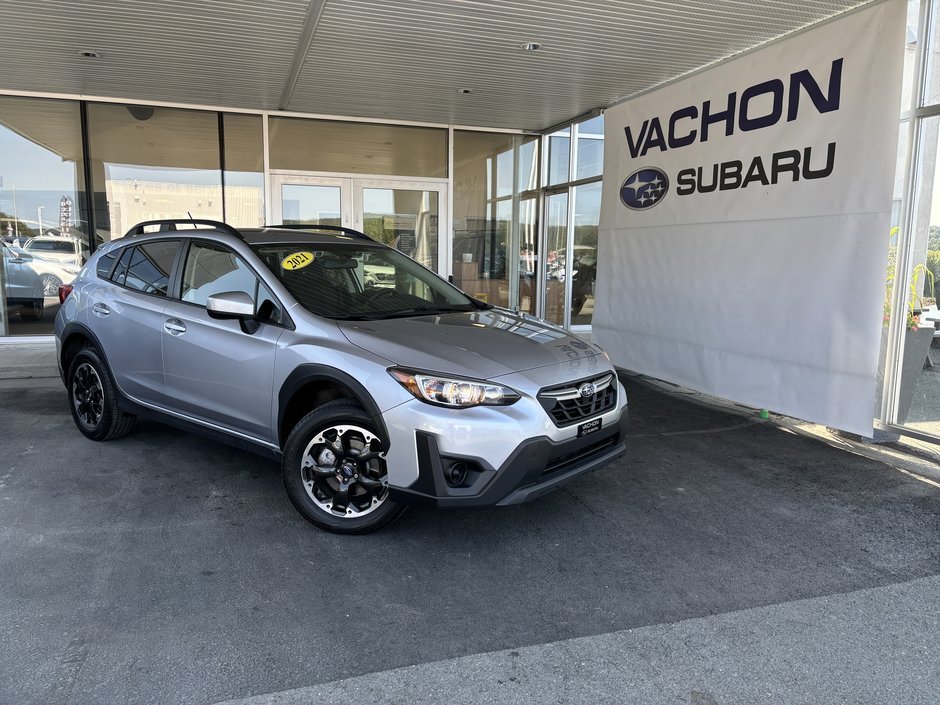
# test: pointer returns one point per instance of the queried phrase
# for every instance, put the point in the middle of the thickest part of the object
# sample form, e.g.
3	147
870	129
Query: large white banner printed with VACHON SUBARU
745	217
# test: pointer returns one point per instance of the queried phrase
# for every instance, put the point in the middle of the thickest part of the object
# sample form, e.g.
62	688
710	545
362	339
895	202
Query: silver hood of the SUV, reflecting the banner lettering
481	344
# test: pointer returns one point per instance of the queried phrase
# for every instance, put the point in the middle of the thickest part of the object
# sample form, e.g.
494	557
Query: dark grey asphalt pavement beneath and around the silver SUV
725	559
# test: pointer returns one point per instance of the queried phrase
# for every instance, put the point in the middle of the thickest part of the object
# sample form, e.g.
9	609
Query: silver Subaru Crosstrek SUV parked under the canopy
374	392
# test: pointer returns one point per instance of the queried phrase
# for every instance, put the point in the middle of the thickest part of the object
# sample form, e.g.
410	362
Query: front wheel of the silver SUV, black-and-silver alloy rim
334	470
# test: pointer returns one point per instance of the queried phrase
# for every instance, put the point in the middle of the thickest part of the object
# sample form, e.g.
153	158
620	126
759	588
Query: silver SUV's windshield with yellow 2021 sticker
349	281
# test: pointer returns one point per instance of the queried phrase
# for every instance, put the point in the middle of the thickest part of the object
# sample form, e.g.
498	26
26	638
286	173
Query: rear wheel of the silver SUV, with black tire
93	398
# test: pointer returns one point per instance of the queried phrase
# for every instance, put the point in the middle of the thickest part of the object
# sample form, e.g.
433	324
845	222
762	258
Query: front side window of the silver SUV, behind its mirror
213	269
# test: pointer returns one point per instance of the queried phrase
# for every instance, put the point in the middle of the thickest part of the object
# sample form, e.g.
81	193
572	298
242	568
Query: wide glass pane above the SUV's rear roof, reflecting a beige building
151	163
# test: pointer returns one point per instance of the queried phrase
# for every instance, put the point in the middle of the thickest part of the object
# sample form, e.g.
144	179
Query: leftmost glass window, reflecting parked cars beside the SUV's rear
41	193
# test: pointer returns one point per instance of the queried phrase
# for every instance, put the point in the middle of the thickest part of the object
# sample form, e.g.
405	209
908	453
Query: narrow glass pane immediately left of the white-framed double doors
244	170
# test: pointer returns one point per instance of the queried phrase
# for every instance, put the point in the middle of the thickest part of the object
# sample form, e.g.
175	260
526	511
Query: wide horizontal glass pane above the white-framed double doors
358	148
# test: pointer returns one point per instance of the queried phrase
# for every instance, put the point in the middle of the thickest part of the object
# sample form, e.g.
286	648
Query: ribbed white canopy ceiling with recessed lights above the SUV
398	59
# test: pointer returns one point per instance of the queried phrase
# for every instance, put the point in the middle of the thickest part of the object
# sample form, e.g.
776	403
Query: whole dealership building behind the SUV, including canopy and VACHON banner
734	197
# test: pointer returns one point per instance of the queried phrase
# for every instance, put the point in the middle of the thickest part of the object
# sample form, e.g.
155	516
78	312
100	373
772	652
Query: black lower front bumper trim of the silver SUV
537	466
